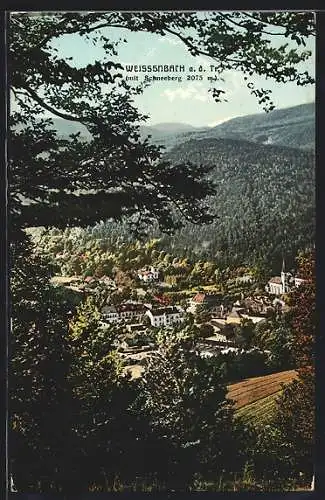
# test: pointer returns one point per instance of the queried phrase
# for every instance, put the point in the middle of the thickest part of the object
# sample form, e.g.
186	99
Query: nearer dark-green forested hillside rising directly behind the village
264	205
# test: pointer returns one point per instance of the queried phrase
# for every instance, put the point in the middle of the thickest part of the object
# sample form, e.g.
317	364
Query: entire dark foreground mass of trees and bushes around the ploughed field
176	418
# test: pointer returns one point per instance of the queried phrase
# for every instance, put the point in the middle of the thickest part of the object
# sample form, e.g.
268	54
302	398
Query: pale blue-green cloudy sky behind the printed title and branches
184	101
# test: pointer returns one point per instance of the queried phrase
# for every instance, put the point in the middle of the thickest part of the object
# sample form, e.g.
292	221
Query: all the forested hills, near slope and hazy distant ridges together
264	204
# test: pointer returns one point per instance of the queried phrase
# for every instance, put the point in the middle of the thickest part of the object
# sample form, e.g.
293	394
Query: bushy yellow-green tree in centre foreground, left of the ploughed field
183	396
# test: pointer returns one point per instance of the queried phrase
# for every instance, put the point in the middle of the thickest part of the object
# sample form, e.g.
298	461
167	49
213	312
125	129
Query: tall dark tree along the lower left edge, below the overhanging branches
40	412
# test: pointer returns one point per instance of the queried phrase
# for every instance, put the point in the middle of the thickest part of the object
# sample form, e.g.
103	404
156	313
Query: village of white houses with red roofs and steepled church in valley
150	307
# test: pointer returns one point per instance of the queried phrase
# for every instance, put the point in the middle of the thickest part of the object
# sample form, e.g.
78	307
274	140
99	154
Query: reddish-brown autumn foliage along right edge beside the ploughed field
295	415
